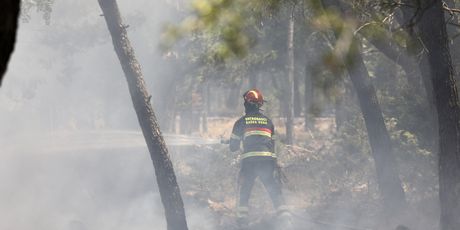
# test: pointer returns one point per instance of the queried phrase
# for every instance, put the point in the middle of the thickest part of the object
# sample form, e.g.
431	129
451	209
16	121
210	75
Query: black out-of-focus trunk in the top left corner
9	13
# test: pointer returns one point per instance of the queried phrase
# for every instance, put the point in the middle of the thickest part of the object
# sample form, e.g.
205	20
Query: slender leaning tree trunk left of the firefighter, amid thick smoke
167	184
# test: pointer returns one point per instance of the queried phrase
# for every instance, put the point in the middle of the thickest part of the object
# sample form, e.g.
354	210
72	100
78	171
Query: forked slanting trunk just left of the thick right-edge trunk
414	65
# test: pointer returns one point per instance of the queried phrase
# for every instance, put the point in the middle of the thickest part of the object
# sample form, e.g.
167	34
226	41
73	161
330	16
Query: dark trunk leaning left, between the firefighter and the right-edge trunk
386	167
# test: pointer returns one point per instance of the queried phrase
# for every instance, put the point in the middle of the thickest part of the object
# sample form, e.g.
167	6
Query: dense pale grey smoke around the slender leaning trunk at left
64	78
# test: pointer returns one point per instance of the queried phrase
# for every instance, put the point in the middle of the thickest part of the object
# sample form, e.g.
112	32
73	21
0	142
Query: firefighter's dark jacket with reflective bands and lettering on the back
256	132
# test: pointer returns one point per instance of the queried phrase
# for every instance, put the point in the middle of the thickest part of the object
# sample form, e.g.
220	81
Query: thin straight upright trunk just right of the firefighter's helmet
290	91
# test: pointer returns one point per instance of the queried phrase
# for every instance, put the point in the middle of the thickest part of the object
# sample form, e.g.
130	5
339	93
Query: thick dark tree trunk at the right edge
434	36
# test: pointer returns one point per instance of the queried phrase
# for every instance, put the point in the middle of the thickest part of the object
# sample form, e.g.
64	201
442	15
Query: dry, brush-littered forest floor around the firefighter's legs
326	186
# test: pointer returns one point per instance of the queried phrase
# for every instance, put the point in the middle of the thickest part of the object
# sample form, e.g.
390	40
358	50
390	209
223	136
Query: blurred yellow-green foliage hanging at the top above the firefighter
231	24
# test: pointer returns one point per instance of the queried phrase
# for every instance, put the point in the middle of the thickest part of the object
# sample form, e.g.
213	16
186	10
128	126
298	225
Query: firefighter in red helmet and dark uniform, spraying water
258	158
